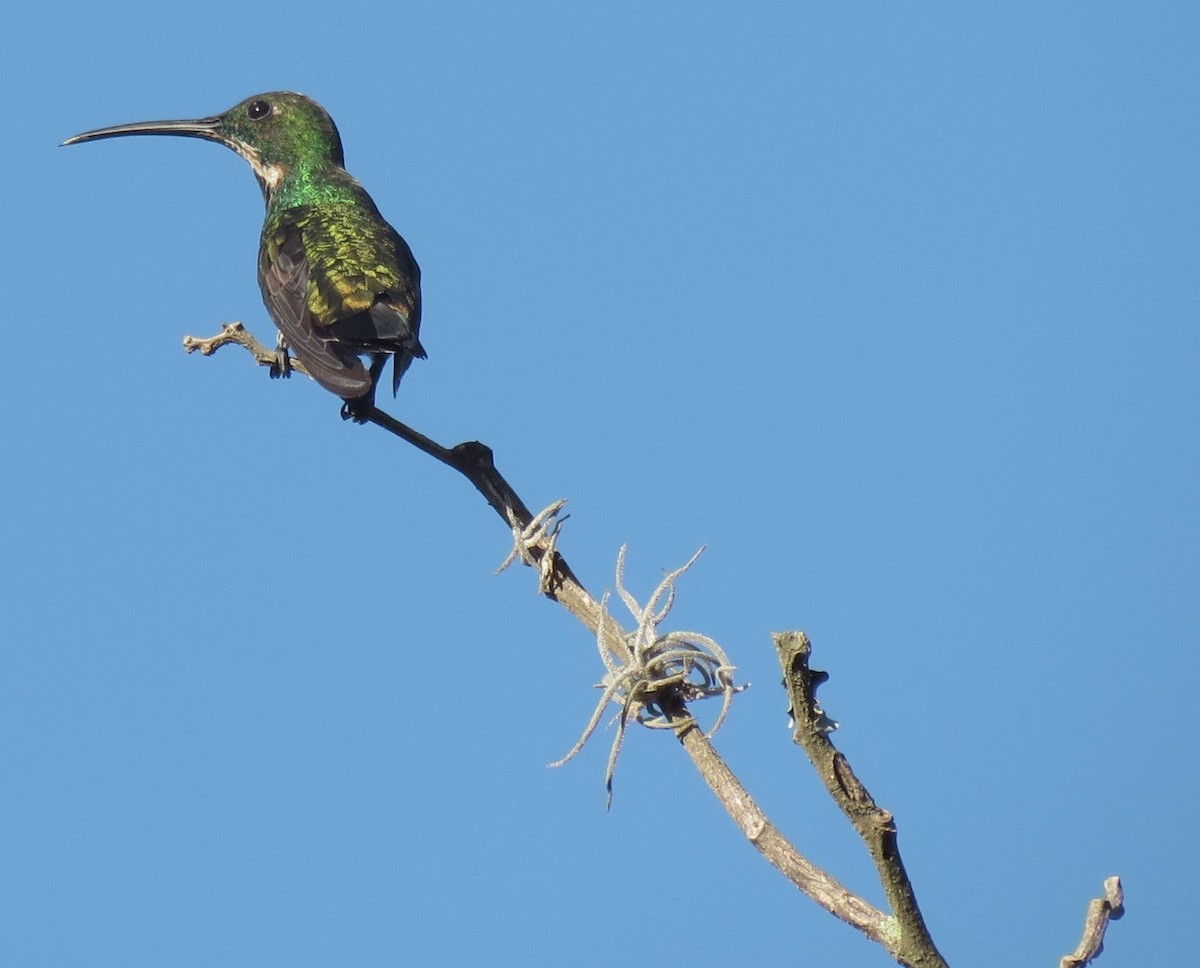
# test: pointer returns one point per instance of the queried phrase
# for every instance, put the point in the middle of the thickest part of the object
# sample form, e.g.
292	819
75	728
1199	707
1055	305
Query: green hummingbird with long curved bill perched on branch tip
338	280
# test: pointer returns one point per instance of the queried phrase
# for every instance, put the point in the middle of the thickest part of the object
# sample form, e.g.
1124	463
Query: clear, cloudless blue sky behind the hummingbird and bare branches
893	306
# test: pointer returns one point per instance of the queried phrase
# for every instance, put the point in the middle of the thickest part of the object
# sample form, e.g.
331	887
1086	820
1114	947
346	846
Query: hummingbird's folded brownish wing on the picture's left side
284	275
